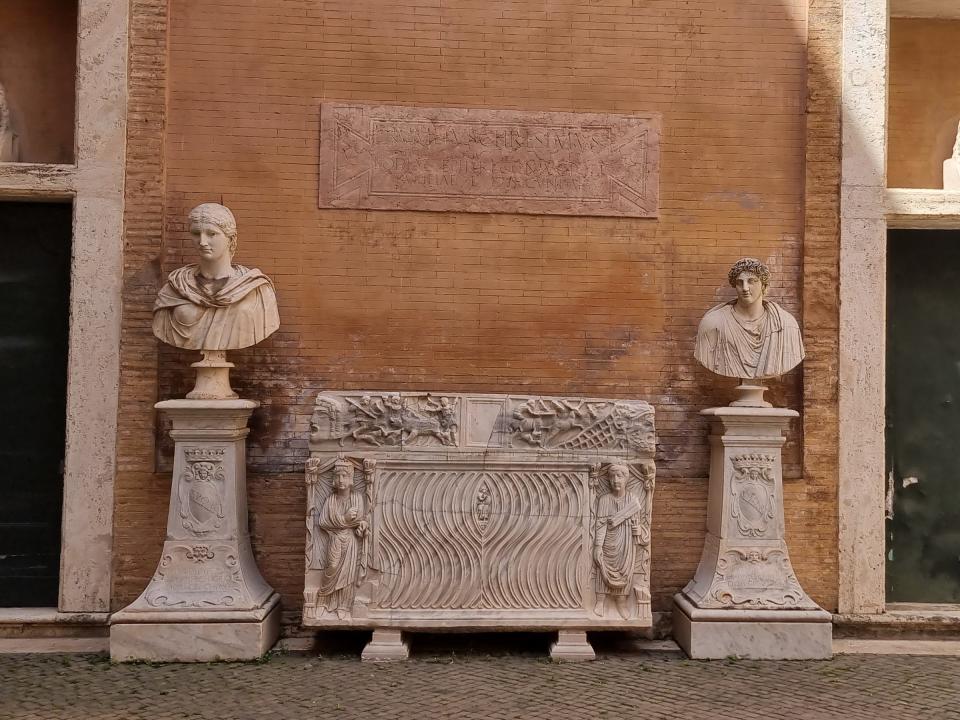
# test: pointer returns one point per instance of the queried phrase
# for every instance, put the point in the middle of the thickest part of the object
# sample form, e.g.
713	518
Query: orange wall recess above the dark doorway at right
924	100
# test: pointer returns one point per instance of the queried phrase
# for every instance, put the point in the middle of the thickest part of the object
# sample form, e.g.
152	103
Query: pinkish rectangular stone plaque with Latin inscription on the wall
386	157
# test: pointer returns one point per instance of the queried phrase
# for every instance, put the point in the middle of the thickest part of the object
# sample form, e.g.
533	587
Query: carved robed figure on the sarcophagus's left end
341	543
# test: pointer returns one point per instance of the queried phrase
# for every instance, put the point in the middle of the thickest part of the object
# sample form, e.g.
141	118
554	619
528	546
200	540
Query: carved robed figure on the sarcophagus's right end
618	528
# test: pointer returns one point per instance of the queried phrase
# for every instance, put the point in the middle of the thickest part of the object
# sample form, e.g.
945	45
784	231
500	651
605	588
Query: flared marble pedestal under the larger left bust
207	599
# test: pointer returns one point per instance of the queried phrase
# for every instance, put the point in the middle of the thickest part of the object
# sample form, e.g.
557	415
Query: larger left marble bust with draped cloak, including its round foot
214	305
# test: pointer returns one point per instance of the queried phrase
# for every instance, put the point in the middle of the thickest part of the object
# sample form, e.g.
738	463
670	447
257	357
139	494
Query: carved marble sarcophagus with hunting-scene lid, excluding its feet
455	510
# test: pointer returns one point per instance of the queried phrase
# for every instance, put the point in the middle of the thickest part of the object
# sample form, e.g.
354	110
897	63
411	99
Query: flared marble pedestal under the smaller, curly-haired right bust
744	599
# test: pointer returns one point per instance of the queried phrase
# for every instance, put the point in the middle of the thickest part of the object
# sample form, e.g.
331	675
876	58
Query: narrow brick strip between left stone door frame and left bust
140	493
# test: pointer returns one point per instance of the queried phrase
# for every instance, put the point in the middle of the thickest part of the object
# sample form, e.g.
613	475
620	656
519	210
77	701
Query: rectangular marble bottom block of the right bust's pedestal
752	634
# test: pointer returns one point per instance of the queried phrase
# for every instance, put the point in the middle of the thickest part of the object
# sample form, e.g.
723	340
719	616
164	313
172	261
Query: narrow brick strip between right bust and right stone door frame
811	504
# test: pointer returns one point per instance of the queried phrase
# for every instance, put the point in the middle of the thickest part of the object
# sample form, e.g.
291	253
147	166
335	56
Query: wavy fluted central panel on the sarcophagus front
522	550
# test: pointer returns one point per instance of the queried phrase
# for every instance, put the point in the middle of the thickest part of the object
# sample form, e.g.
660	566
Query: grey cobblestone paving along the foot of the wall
454	679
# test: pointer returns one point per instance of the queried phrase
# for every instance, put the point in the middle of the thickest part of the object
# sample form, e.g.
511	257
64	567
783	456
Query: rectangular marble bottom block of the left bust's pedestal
197	637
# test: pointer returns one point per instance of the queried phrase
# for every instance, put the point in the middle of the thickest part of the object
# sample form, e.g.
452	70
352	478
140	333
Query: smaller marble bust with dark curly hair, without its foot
750	338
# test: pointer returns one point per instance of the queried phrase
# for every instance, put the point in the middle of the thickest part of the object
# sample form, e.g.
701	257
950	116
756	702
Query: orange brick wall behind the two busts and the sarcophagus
487	302
